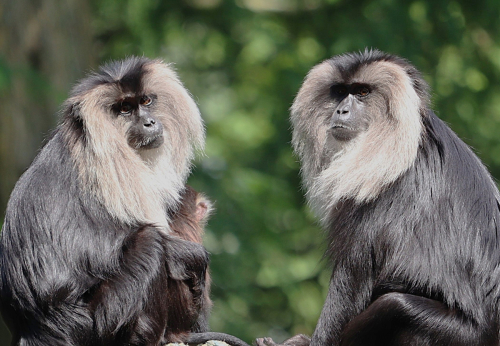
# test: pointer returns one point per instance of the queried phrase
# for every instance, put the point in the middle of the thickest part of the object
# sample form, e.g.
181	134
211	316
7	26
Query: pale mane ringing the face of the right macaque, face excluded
362	168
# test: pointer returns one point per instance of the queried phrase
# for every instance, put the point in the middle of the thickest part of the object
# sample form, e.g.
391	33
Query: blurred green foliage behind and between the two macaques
244	61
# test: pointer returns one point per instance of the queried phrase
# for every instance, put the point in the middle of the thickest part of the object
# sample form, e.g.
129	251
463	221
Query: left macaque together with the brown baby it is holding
101	239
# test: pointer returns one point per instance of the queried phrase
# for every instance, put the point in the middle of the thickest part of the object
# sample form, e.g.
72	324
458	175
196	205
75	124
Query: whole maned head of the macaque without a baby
357	126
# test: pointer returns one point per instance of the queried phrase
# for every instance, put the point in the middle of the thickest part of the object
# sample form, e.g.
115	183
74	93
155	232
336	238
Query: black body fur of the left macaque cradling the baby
71	274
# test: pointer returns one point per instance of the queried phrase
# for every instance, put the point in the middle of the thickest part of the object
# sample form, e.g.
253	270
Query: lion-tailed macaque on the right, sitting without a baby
413	216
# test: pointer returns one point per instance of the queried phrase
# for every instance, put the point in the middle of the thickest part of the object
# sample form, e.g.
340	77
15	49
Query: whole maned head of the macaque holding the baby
133	124
